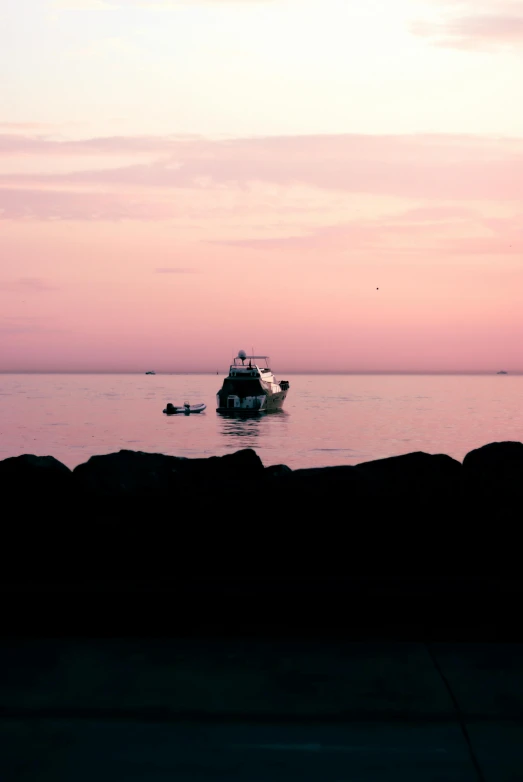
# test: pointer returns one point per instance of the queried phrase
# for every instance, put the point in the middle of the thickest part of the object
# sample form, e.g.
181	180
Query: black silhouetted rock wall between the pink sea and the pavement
159	543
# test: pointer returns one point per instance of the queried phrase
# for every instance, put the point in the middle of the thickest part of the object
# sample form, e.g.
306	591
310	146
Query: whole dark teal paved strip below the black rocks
147	710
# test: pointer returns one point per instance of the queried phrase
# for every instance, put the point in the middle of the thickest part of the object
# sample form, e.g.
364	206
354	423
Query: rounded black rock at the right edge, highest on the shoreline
495	472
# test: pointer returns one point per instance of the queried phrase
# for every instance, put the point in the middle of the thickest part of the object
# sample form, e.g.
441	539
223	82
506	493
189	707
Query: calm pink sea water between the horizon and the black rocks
327	420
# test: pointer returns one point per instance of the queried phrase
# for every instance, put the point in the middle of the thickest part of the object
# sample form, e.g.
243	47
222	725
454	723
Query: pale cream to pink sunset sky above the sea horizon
179	180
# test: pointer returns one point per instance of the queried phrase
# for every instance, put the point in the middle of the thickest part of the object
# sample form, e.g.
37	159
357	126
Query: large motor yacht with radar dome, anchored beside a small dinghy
251	387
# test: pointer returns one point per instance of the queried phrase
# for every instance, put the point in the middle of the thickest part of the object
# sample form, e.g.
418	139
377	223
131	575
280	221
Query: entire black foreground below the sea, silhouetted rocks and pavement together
165	619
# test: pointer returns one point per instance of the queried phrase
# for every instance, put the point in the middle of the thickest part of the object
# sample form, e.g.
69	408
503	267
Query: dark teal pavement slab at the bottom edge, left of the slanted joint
82	751
